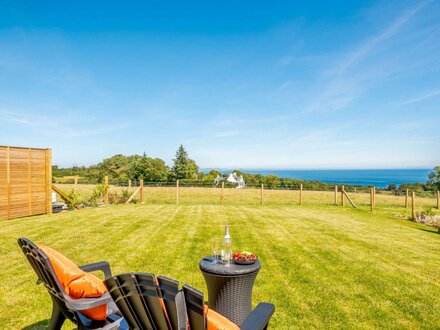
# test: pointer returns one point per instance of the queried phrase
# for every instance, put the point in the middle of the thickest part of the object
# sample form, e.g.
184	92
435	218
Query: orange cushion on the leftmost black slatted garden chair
77	283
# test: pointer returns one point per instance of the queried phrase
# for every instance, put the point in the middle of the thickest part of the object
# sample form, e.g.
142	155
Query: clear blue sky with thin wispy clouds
252	84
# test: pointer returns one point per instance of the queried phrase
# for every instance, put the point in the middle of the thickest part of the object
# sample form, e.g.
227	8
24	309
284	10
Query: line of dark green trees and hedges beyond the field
120	169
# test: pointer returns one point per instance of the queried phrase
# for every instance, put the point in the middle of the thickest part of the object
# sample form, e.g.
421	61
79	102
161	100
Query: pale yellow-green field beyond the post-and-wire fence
249	196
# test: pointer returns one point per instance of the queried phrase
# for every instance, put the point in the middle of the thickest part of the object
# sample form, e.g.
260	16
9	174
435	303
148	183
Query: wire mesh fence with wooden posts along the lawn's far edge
204	193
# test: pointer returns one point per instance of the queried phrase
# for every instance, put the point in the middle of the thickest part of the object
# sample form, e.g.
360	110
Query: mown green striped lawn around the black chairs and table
322	266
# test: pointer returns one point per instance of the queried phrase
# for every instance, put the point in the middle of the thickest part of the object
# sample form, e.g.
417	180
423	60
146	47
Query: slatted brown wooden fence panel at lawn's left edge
25	182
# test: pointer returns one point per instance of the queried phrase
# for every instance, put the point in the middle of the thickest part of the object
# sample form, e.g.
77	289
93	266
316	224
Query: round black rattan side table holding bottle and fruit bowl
230	288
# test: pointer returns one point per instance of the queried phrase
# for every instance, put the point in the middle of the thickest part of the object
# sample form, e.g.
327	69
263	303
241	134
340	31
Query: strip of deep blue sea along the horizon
380	178
